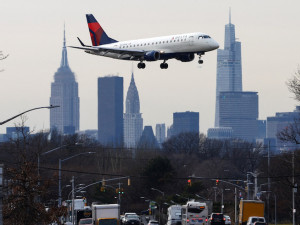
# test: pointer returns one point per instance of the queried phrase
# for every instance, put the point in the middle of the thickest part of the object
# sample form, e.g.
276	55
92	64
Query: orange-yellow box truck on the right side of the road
250	208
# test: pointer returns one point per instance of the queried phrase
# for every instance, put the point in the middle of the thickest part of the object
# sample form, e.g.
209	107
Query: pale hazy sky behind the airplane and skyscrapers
32	35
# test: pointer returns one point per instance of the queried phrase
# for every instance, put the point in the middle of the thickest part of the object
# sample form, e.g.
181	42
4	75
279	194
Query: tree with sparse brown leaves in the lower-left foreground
26	192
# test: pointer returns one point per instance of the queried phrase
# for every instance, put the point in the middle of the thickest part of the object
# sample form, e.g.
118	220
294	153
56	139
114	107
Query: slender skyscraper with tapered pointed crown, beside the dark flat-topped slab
133	121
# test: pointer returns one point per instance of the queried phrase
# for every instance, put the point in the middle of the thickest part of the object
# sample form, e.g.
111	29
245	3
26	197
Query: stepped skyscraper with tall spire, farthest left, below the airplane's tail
64	93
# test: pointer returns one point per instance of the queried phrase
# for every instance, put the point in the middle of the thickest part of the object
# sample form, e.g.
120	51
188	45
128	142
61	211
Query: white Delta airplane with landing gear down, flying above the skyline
182	47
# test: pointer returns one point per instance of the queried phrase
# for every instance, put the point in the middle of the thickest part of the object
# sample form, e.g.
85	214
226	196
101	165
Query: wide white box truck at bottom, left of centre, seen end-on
107	214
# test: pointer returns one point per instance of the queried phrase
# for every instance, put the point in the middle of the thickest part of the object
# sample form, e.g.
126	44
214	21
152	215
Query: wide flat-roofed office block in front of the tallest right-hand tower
239	110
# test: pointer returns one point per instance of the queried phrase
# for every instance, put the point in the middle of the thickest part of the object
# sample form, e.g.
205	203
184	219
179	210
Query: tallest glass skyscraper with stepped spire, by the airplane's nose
229	67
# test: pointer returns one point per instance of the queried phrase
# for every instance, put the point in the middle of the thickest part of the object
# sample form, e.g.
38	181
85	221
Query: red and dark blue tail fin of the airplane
98	35
